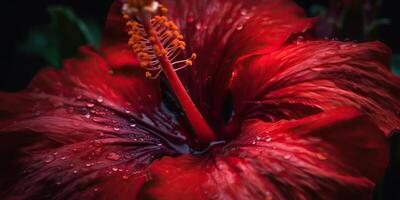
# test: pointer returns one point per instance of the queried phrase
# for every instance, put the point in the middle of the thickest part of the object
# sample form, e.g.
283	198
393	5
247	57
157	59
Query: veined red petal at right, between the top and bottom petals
300	80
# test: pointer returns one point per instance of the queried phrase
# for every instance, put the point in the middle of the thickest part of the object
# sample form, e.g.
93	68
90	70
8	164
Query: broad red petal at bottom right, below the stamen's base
338	154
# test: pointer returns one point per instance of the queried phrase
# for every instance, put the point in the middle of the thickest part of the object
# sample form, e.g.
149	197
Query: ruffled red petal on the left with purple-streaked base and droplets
79	131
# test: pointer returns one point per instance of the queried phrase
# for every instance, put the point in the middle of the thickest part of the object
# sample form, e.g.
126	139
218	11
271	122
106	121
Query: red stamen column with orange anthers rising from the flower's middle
157	42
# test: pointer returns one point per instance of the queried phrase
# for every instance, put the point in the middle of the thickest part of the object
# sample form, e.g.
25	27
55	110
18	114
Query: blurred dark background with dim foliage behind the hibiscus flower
40	33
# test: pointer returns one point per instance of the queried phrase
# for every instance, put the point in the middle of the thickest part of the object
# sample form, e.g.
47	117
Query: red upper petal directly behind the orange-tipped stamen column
220	31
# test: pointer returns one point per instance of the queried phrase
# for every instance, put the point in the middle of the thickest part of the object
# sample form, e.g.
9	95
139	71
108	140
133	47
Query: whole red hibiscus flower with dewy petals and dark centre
283	115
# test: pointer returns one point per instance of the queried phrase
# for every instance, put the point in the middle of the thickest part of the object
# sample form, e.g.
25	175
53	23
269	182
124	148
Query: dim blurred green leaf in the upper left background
62	37
